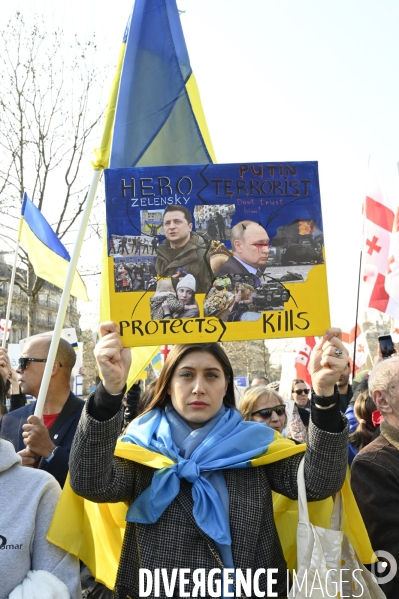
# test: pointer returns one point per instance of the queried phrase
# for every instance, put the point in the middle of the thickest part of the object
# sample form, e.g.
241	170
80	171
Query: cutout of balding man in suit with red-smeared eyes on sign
250	247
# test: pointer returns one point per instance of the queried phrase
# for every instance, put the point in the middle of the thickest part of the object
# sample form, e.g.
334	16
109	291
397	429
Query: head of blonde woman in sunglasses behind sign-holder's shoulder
261	404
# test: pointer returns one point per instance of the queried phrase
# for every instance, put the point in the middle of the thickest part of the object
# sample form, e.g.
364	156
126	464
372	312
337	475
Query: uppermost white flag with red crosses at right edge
378	224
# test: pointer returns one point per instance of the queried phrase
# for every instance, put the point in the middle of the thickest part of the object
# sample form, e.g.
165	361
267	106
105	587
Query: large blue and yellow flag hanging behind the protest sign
154	115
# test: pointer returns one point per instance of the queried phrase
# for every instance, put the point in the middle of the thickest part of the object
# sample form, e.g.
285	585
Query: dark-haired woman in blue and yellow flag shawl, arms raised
209	512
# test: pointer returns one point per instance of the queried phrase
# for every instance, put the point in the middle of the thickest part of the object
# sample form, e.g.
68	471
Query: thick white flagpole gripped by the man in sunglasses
59	323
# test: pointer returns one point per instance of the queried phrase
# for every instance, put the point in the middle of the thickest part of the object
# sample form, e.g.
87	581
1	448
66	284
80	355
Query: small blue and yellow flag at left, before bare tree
48	256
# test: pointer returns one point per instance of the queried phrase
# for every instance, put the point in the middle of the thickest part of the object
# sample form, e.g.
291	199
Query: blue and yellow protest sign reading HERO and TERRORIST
217	252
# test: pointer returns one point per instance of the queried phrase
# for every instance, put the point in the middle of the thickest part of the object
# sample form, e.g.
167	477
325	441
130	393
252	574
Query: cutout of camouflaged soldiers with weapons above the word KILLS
241	297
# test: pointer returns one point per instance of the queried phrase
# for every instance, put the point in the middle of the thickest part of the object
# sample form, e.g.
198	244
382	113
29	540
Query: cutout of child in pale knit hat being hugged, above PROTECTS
175	298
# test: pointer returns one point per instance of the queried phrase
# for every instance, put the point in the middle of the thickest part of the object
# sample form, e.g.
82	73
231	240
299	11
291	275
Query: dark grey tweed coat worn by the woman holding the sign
176	540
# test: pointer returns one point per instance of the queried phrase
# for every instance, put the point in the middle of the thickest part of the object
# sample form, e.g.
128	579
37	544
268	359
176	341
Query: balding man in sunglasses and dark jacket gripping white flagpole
45	443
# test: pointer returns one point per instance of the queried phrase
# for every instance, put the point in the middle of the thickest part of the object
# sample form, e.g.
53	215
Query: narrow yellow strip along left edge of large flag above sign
103	152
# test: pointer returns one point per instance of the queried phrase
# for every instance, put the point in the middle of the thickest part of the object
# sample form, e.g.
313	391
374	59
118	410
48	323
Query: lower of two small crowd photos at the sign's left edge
134	274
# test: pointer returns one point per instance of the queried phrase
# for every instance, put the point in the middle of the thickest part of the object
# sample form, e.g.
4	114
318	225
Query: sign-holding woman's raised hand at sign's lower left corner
112	358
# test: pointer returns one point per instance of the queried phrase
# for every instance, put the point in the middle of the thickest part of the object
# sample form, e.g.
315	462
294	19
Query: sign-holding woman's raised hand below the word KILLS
328	360
